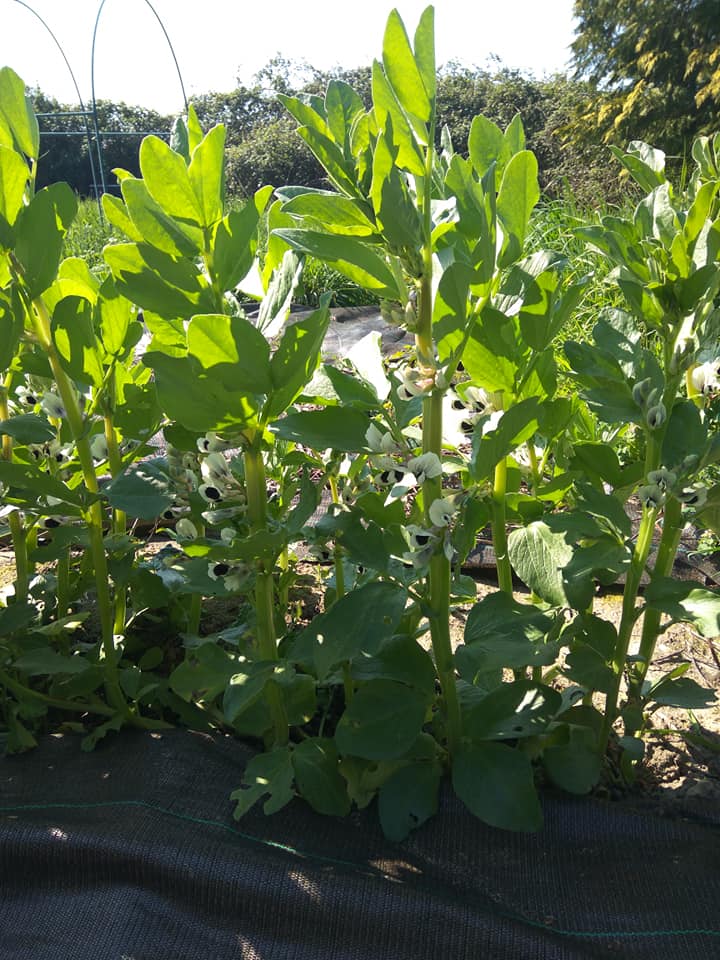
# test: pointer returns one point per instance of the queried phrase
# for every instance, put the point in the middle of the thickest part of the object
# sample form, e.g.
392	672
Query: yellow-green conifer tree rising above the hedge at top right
654	67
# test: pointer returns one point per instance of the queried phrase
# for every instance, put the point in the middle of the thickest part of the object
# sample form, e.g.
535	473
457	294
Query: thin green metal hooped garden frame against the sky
89	116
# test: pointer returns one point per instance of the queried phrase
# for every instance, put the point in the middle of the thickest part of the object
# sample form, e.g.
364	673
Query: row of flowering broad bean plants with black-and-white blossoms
179	390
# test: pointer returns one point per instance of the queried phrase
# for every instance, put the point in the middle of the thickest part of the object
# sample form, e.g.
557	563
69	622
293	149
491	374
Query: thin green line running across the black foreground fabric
589	934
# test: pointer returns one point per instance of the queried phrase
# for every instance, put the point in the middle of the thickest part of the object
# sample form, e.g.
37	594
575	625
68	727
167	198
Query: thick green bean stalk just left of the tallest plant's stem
264	589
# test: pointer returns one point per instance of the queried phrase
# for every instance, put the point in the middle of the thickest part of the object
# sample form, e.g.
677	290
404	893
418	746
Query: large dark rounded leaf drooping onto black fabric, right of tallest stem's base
495	782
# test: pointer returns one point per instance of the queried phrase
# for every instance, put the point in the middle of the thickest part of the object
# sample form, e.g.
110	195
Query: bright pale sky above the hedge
217	42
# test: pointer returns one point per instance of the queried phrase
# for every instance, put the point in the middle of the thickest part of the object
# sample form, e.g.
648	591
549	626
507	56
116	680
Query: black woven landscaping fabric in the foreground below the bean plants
131	853
